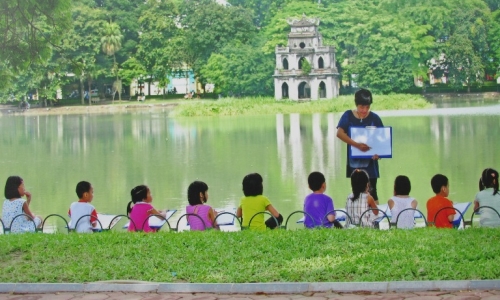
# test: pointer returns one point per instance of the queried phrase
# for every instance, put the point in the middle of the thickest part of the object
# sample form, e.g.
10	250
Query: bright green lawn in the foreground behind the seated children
322	255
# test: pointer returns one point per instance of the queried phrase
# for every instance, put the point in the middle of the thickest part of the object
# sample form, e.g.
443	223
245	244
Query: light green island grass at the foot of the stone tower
268	105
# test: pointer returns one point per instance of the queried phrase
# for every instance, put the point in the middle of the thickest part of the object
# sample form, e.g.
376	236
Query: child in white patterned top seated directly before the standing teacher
360	201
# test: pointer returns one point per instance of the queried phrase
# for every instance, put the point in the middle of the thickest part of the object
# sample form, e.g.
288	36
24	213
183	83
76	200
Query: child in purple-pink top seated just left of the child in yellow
197	197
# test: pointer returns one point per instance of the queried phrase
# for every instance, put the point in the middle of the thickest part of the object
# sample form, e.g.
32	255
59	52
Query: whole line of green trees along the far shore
387	44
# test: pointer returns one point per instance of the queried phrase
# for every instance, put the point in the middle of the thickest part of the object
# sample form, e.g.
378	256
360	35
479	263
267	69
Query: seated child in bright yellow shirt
254	203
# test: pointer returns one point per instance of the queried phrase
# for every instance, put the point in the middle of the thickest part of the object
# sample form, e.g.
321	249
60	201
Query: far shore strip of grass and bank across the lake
245	105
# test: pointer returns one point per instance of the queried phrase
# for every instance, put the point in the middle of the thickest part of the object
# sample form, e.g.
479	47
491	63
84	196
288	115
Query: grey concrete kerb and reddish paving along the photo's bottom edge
131	290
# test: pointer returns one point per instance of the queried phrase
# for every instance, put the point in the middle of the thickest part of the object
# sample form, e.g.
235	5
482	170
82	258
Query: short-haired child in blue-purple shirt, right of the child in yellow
317	205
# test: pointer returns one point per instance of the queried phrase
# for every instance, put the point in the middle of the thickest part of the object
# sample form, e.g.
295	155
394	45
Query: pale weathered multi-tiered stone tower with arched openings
305	69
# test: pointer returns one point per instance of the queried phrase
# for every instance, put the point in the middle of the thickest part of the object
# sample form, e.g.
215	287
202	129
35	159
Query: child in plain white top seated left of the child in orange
401	201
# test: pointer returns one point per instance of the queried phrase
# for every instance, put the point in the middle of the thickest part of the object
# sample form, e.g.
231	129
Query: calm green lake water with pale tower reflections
117	152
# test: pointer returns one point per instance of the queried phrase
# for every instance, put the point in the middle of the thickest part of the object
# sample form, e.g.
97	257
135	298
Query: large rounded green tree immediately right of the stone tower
383	48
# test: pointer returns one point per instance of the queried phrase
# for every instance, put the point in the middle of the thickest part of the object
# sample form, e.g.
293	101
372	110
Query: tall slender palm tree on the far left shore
111	42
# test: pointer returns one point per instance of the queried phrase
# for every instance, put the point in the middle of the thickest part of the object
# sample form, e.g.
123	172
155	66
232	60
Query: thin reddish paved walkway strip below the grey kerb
461	295
